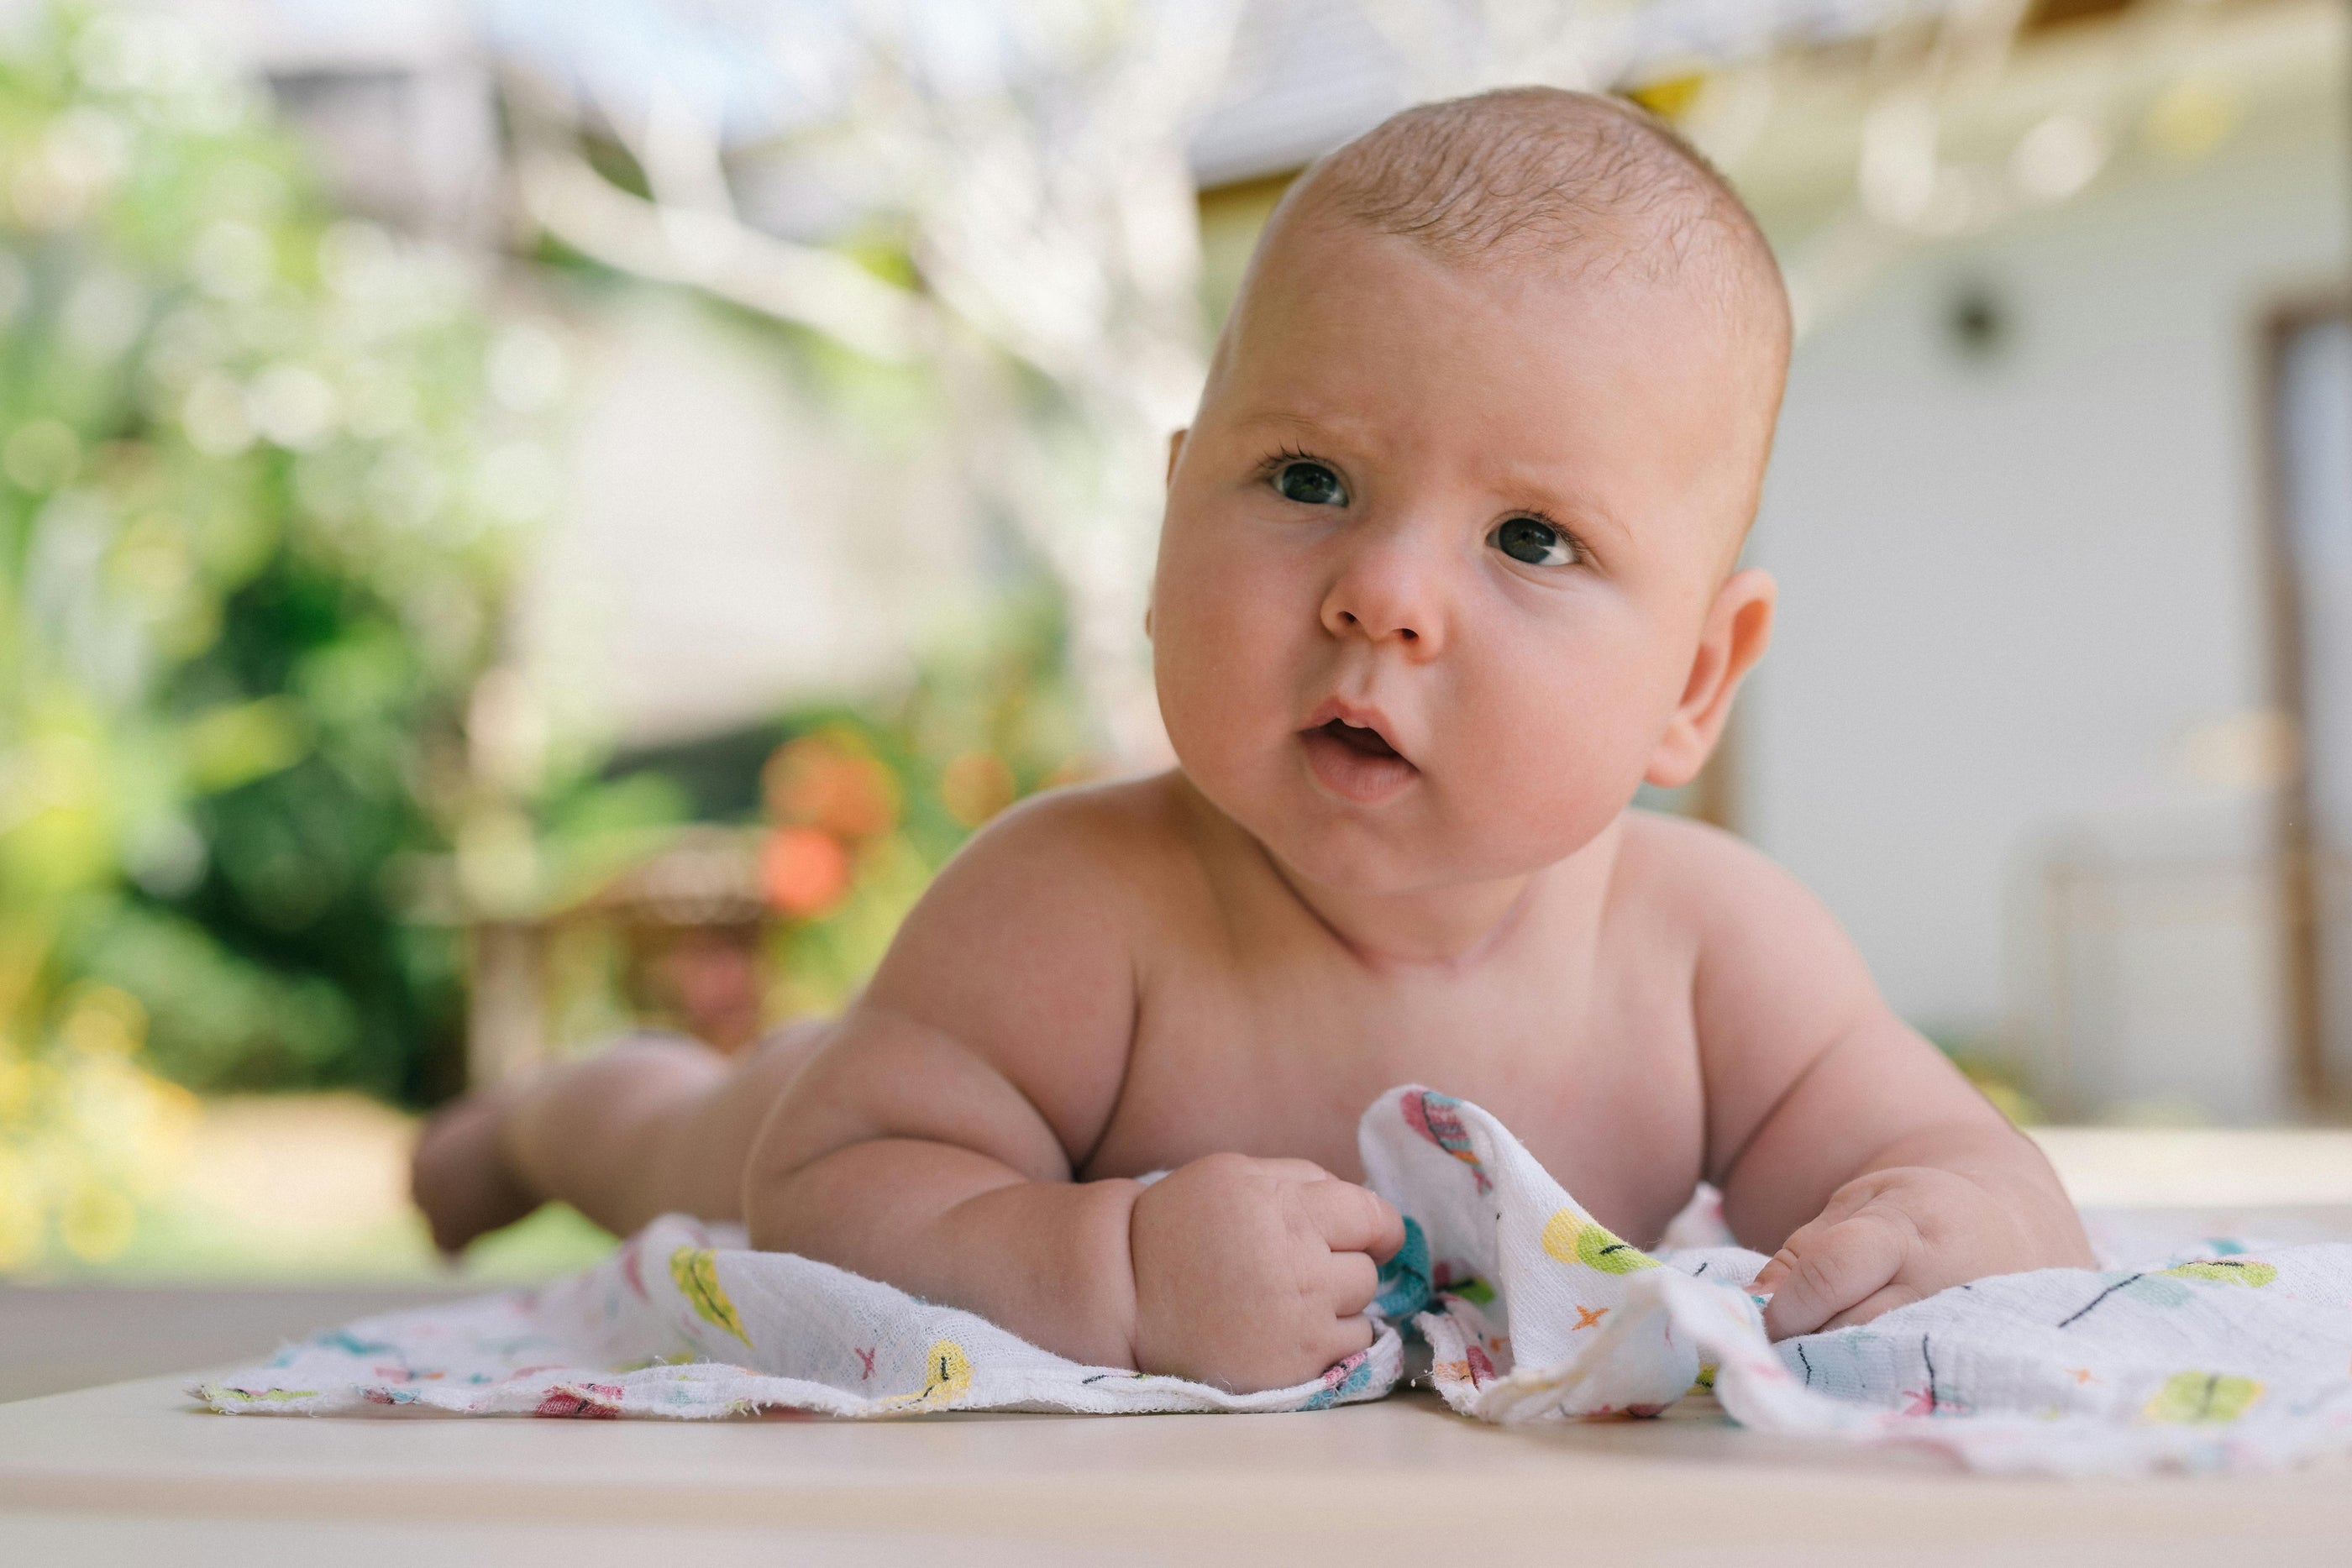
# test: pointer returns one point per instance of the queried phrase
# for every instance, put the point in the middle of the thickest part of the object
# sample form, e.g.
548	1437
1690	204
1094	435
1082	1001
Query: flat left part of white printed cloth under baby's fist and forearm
688	1322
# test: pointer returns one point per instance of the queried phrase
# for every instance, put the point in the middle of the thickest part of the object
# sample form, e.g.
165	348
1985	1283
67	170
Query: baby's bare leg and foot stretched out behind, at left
650	1127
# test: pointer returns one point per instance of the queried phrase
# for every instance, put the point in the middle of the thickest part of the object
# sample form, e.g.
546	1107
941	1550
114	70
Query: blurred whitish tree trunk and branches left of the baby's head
1048	213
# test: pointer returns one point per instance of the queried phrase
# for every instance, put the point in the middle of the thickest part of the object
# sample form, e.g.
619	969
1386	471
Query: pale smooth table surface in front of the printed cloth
135	1473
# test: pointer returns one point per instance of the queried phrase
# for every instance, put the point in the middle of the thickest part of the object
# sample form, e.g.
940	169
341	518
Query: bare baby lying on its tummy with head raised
1448	572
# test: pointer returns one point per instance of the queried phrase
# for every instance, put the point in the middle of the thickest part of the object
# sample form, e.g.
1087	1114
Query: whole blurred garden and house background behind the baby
523	521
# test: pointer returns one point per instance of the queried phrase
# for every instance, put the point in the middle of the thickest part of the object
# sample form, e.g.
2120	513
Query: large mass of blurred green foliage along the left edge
258	507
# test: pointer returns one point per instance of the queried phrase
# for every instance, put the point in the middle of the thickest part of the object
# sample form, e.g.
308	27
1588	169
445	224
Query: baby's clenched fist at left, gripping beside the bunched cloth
1255	1273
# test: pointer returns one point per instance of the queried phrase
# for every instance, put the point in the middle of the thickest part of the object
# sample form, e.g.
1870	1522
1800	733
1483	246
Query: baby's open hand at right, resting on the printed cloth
1895	1238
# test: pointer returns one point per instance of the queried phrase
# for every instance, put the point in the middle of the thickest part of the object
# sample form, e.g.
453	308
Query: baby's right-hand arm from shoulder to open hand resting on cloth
1836	1127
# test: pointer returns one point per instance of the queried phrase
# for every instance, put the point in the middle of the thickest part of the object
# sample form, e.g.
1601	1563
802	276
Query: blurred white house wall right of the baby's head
2022	598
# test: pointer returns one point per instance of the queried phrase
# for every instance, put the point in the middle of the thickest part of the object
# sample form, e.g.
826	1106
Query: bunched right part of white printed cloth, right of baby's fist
2210	1360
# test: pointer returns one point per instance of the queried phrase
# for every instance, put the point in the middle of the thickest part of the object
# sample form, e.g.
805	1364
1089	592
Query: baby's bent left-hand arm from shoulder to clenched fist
935	1141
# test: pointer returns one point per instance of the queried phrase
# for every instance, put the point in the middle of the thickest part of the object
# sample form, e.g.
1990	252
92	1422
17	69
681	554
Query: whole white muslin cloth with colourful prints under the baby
2212	1360
